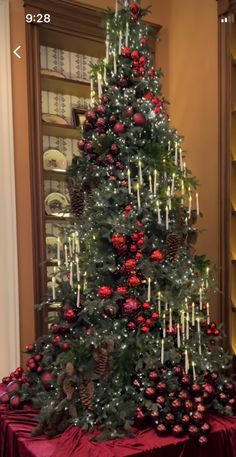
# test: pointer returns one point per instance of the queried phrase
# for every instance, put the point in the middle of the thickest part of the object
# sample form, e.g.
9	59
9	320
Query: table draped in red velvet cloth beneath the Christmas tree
16	441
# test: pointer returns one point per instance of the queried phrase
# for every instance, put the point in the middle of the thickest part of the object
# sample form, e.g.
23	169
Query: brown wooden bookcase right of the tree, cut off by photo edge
227	106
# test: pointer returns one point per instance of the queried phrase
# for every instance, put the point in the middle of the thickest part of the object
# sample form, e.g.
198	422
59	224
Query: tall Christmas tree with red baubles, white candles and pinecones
134	343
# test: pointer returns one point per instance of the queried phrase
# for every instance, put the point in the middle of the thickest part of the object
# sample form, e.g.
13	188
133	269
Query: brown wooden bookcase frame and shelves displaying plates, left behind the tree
75	28
